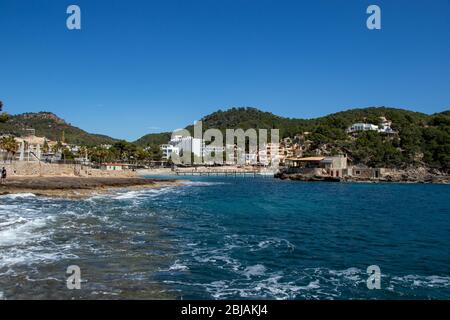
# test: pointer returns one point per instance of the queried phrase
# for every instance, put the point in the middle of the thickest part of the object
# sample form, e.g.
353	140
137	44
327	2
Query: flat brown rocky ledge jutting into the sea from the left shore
78	187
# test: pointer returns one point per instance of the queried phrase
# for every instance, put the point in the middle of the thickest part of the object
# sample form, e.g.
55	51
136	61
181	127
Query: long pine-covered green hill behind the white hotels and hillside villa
421	139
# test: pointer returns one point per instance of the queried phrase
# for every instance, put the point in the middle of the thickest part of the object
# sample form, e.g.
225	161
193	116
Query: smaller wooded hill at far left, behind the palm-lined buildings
49	125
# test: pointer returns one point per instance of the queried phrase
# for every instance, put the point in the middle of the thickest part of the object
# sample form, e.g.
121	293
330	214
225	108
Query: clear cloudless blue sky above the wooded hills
147	66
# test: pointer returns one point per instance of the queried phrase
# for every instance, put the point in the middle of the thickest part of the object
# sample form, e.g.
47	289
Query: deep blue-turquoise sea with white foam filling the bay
231	238
